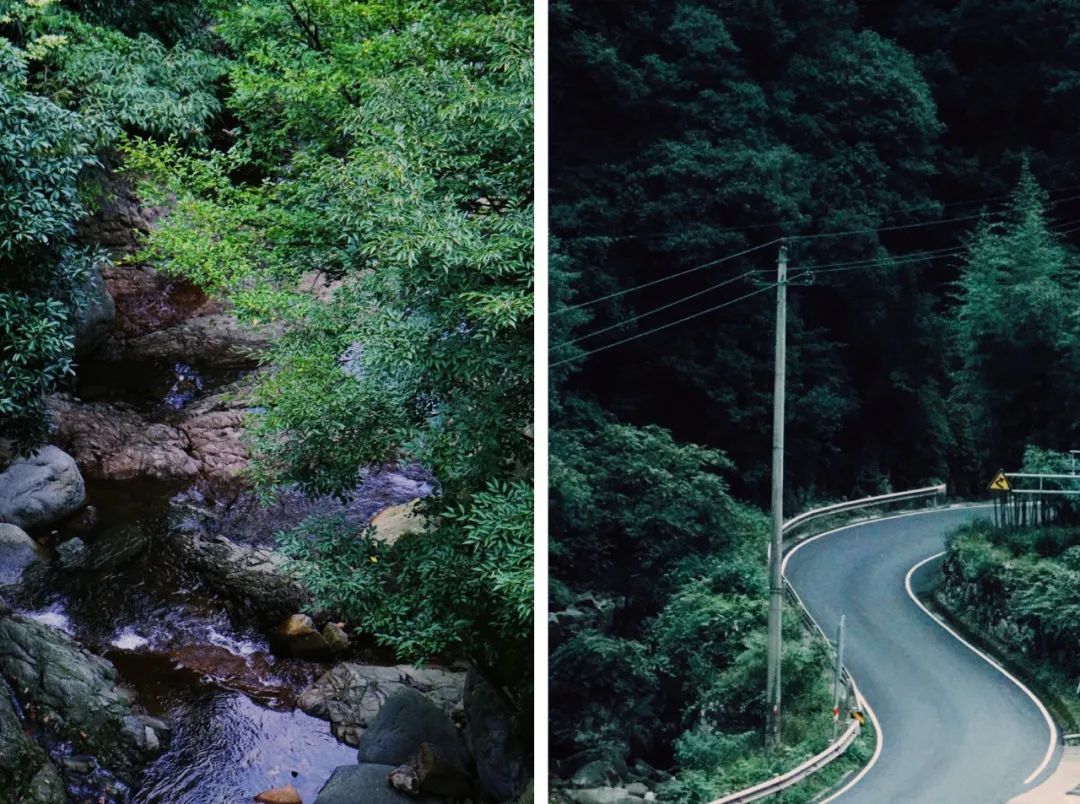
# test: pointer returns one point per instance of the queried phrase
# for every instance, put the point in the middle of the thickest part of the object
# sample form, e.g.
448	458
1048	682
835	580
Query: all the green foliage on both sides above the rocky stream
358	176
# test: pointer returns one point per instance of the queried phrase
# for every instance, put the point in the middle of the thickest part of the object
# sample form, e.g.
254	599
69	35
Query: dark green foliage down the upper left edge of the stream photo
69	89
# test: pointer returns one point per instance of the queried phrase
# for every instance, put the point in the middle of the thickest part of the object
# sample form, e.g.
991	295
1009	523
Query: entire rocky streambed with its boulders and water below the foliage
153	646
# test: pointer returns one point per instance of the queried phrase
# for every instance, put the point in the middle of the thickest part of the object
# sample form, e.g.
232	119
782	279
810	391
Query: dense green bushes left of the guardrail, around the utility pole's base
664	650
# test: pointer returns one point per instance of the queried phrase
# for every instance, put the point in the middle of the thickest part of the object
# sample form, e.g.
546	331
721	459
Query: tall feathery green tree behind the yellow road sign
1017	332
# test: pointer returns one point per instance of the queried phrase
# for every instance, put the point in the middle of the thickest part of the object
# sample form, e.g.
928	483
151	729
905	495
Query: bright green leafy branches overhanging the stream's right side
381	152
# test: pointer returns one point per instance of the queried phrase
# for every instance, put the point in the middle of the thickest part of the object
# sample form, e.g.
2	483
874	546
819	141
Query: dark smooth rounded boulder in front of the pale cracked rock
407	722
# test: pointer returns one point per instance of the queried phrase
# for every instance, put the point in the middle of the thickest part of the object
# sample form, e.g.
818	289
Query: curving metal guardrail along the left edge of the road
839	747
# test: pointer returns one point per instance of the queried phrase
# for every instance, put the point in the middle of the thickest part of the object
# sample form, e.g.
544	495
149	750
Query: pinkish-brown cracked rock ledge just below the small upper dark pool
115	443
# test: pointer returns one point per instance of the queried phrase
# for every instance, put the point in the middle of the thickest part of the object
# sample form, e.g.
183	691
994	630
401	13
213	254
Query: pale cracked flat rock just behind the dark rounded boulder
350	695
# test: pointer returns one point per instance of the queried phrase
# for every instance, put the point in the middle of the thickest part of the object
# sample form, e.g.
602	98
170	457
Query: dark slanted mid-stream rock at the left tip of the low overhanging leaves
254	577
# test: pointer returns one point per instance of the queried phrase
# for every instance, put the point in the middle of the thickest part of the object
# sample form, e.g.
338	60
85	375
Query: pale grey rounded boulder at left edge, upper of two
42	489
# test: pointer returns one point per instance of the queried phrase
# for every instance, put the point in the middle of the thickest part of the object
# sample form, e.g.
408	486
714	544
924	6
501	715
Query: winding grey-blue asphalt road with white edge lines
953	729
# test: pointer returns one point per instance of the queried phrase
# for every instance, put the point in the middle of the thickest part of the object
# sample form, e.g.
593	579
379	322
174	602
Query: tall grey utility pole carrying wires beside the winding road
776	548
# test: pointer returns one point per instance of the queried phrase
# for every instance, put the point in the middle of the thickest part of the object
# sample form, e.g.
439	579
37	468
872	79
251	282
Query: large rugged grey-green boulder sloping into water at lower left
78	695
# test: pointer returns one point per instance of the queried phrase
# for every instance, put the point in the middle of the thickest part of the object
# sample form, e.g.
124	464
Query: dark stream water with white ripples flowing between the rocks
193	658
